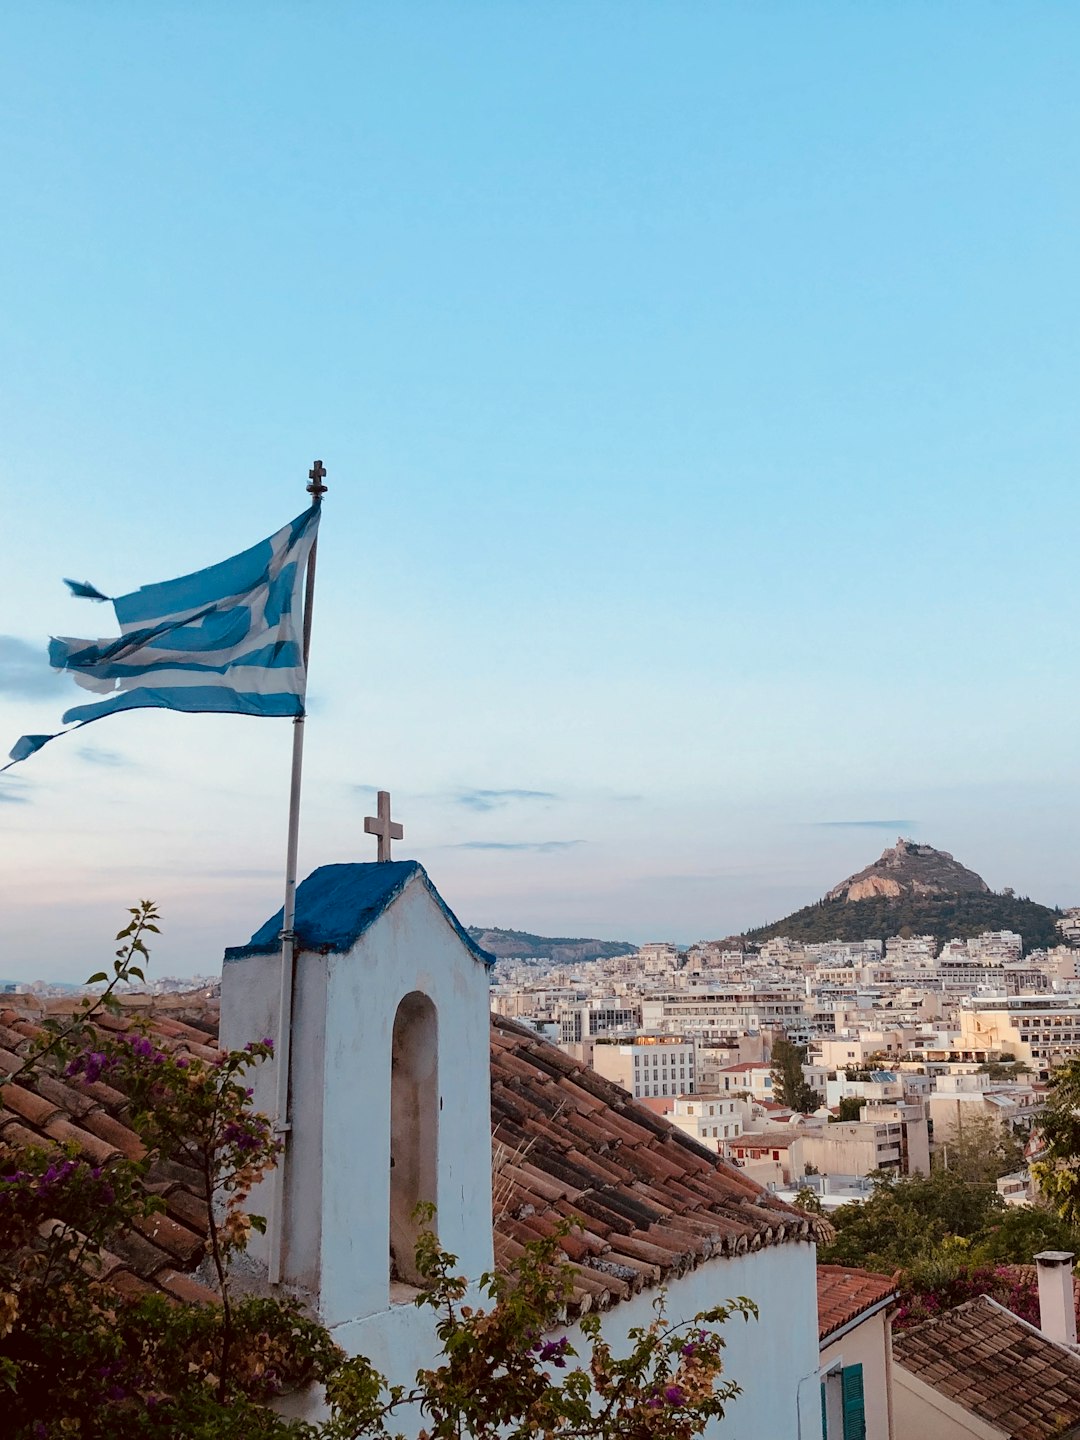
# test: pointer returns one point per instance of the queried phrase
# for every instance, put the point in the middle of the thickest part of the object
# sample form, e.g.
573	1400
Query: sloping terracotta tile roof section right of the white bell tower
650	1202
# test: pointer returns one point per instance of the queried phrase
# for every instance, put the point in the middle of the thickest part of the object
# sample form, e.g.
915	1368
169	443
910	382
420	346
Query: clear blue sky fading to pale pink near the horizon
698	391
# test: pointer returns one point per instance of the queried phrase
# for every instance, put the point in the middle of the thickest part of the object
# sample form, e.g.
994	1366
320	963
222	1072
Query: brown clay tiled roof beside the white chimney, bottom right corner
997	1367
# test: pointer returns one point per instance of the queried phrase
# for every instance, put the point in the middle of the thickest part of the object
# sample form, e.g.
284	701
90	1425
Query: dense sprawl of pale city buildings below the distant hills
904	1042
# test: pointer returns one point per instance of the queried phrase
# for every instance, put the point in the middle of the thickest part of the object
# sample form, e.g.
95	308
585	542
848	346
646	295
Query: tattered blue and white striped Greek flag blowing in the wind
225	640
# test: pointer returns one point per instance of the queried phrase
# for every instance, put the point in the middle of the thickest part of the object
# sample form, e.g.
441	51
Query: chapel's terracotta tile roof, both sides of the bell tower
650	1202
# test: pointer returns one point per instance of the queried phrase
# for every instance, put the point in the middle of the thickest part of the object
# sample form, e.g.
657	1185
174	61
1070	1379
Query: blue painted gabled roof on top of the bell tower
338	904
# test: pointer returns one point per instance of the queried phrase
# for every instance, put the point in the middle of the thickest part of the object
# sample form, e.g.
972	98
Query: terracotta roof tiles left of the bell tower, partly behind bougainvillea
161	1252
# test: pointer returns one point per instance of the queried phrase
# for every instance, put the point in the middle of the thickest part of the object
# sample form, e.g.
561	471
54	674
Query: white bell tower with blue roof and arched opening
391	1089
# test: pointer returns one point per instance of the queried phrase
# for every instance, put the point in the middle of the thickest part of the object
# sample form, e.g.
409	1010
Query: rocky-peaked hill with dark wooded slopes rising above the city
915	891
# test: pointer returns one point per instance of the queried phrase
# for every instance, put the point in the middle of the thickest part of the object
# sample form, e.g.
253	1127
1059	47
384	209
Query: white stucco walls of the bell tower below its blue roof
336	1252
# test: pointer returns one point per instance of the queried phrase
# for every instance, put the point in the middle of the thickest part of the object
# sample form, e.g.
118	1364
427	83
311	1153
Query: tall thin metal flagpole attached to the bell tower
277	1216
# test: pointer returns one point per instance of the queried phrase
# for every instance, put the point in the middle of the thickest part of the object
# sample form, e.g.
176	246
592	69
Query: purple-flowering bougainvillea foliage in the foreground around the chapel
80	1360
